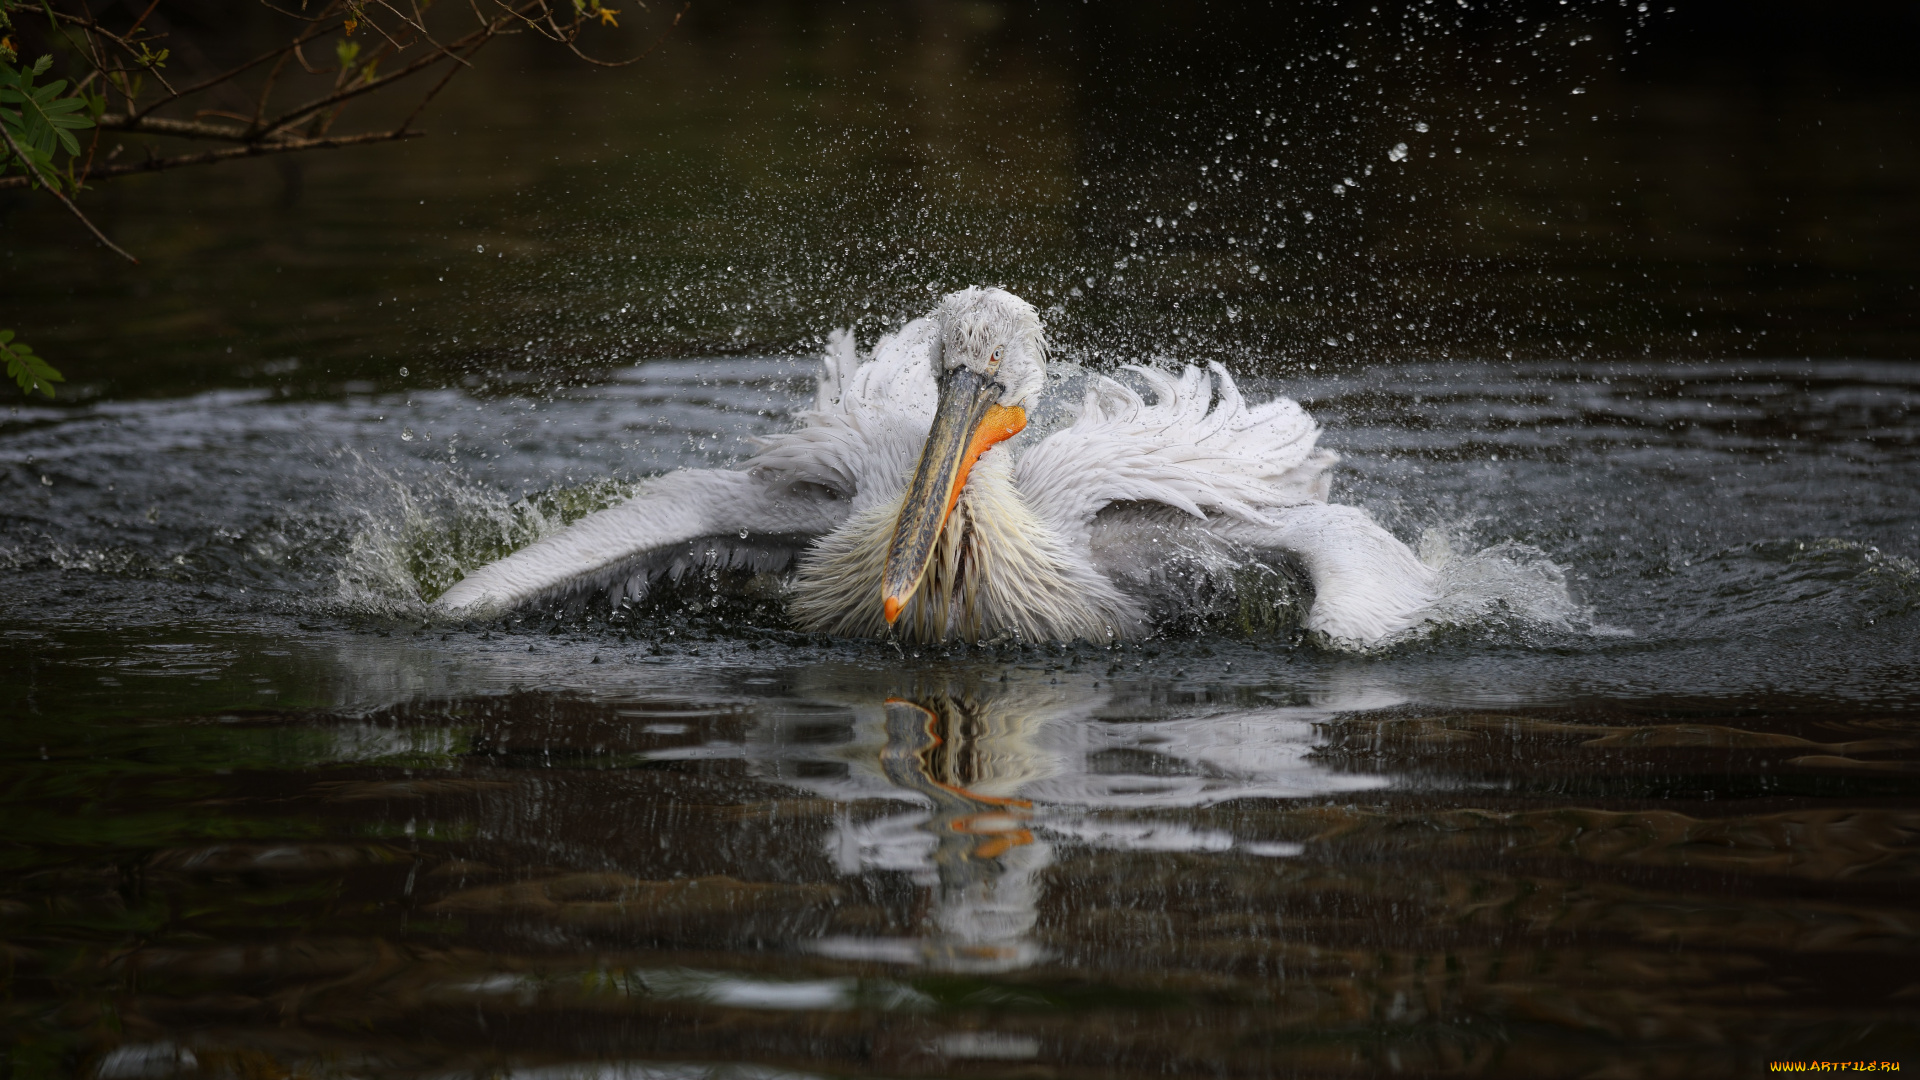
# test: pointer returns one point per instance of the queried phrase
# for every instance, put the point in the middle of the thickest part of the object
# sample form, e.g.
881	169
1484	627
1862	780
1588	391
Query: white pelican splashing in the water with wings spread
909	504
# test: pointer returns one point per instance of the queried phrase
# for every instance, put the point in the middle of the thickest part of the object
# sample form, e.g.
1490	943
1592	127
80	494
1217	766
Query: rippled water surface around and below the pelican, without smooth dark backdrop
266	814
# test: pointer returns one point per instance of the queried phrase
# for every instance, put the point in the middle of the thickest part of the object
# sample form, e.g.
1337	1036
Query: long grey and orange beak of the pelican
967	424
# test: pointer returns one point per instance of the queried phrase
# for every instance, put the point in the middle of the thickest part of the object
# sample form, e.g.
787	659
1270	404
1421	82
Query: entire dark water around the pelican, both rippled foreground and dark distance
1643	804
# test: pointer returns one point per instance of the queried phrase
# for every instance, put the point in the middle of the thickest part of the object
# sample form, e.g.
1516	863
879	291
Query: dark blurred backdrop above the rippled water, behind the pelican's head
1733	180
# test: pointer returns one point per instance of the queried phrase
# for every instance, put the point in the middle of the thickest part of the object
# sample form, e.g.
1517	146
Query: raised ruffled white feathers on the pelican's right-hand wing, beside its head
1182	451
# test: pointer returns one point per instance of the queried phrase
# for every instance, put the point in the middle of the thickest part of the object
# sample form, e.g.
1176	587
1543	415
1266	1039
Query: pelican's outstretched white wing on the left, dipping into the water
677	524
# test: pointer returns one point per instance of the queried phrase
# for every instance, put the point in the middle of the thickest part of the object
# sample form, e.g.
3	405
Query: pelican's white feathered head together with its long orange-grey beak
992	362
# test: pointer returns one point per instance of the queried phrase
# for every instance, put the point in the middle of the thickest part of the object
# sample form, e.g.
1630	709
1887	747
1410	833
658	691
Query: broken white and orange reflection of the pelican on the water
1005	773
